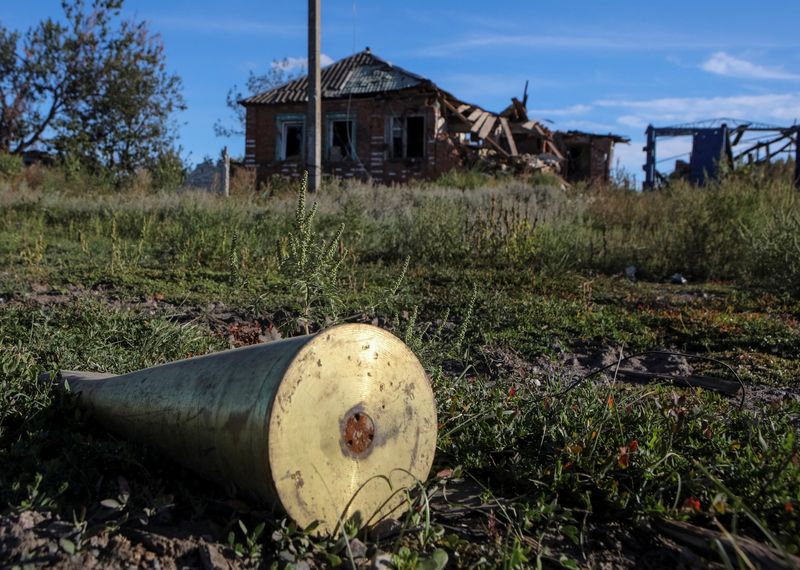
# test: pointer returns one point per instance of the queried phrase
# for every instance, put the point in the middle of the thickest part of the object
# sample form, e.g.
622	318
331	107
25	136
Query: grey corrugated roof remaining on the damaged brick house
359	74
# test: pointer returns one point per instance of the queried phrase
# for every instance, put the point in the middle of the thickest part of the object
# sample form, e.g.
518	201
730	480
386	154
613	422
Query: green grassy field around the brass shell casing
493	287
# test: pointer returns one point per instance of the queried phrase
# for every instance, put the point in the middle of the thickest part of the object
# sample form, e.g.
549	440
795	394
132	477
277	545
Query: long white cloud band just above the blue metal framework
776	107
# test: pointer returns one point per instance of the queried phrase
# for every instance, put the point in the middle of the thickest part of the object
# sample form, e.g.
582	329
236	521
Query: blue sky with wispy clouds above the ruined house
611	66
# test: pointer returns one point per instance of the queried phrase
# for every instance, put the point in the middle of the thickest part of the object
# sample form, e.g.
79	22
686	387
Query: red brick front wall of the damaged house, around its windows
372	149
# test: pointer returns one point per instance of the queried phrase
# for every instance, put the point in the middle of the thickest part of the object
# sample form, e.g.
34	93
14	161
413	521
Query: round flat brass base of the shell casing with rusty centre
353	423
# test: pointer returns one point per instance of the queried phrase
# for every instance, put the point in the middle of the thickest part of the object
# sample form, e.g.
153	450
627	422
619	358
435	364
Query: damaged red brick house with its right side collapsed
384	123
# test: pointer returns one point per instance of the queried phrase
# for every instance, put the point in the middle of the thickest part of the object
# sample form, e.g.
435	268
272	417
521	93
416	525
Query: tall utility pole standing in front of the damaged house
313	138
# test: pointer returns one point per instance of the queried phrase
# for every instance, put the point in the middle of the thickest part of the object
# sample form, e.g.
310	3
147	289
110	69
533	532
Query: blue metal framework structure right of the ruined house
719	141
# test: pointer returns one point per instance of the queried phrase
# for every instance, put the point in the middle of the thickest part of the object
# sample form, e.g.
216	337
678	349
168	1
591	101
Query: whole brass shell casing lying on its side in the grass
325	427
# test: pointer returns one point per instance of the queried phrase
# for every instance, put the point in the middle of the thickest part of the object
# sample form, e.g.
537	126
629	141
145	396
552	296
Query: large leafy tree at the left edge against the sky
95	89
